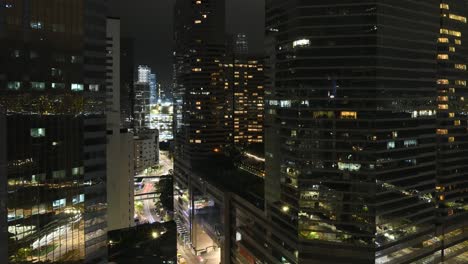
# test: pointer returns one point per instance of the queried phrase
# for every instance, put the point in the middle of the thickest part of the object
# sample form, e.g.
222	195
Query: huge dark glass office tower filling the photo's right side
366	130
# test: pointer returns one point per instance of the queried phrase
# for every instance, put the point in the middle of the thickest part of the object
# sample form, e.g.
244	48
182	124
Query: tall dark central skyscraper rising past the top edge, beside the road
202	101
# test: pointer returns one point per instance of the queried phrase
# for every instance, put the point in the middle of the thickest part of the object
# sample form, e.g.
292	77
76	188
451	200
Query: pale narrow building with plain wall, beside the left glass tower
120	153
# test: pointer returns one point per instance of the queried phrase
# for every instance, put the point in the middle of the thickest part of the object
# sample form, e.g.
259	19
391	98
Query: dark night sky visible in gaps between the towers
149	22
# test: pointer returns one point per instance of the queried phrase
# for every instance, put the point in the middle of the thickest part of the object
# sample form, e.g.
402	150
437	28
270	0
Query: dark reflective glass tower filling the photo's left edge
52	85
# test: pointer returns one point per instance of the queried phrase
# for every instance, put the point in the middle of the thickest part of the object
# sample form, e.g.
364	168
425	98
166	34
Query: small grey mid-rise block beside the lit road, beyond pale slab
146	149
